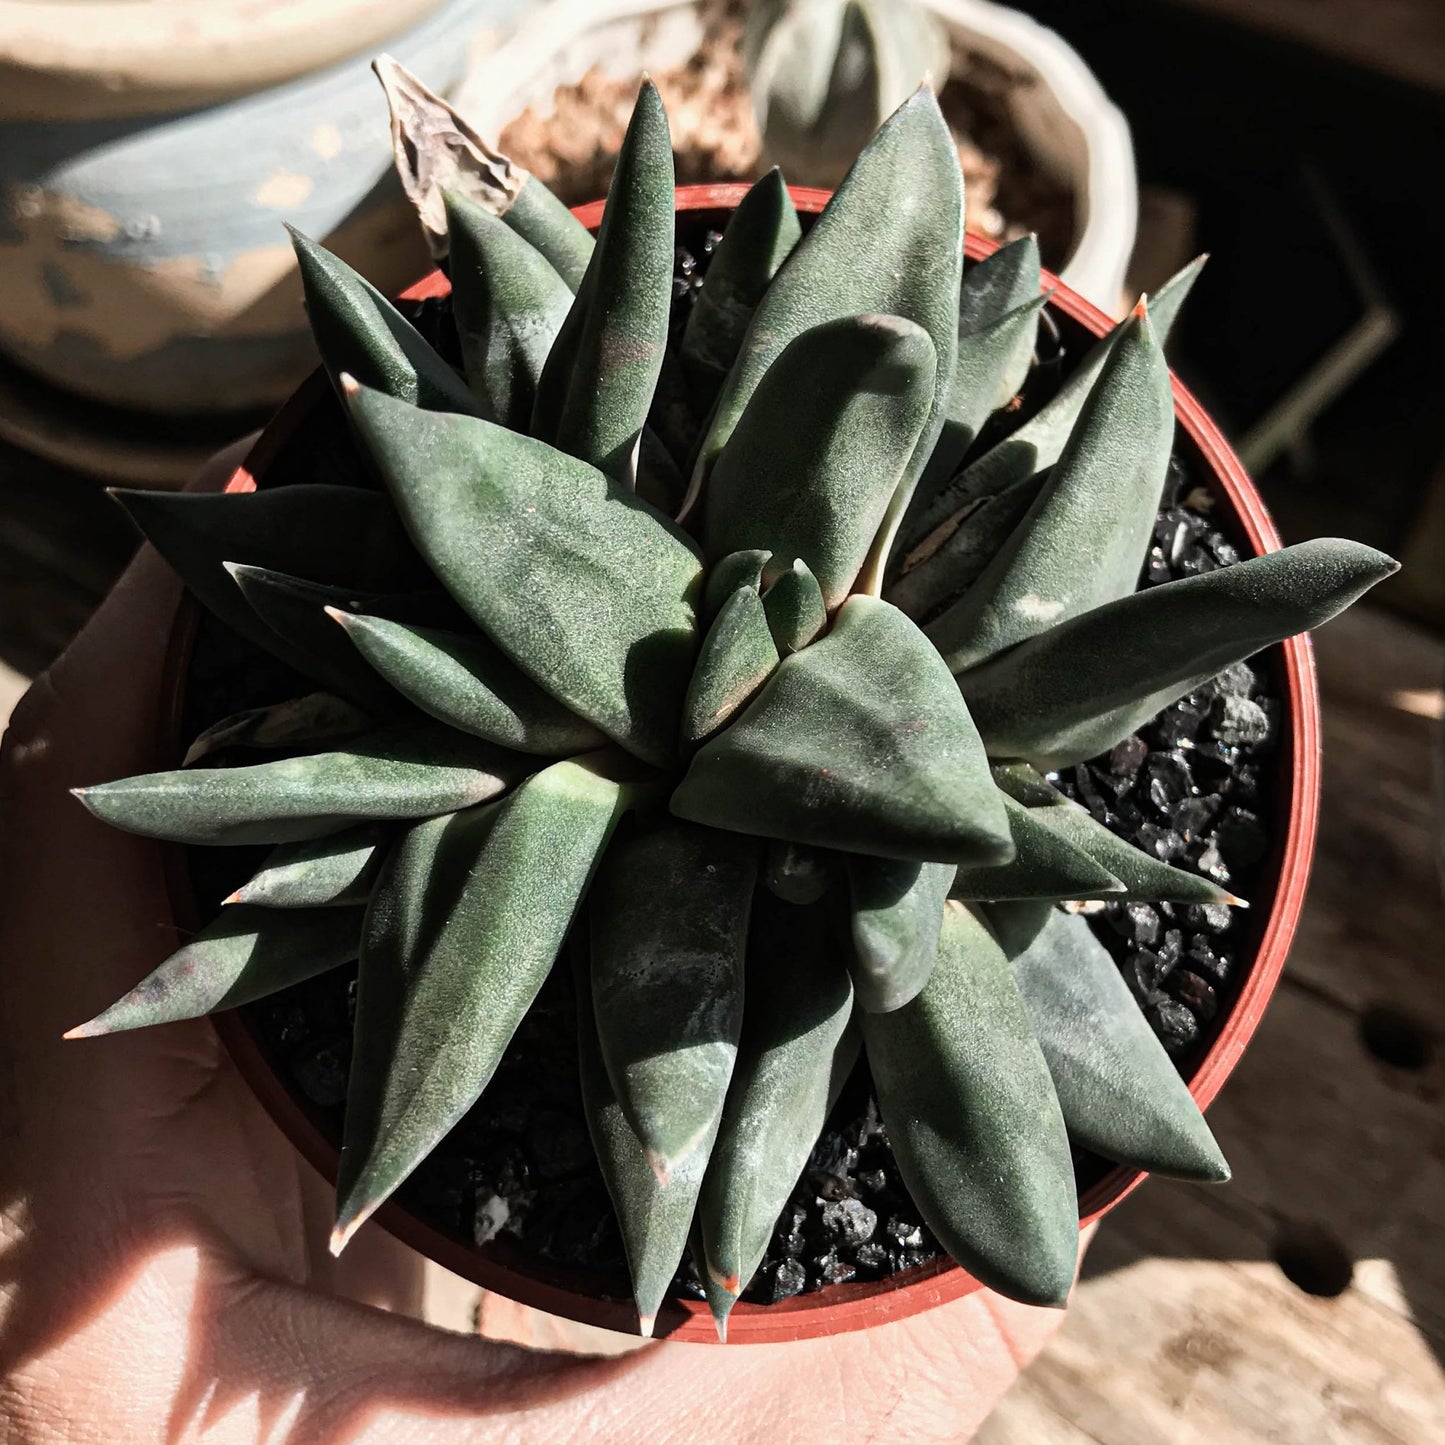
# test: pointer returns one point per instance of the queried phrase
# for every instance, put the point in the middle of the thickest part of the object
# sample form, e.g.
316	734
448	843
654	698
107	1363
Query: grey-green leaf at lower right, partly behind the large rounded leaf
1121	1092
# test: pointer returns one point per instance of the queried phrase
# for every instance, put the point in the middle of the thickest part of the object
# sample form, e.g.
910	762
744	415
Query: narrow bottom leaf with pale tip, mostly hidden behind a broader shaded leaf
655	1220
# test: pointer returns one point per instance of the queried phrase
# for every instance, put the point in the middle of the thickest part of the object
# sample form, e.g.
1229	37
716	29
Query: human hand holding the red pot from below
164	1265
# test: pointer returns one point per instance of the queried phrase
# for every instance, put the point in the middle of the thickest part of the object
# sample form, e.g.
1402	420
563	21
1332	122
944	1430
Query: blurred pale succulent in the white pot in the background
826	74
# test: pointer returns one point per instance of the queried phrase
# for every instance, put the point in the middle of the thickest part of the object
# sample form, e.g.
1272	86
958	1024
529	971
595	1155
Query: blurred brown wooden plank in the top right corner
1399	38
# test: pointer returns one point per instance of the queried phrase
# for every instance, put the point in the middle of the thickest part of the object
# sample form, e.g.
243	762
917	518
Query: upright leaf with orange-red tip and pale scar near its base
1100	502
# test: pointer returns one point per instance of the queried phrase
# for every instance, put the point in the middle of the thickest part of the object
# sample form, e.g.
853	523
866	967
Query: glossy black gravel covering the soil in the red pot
518	1176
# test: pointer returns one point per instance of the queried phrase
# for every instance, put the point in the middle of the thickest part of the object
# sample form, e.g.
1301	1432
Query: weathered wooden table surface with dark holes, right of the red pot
1184	1327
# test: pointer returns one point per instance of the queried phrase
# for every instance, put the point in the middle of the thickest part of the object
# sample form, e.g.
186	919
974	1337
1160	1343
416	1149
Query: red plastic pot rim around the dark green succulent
842	1307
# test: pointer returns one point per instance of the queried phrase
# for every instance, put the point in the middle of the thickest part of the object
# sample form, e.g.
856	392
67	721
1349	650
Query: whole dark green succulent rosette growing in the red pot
739	665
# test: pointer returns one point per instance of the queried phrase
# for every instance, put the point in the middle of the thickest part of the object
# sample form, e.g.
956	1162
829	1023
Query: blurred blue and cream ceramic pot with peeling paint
148	155
